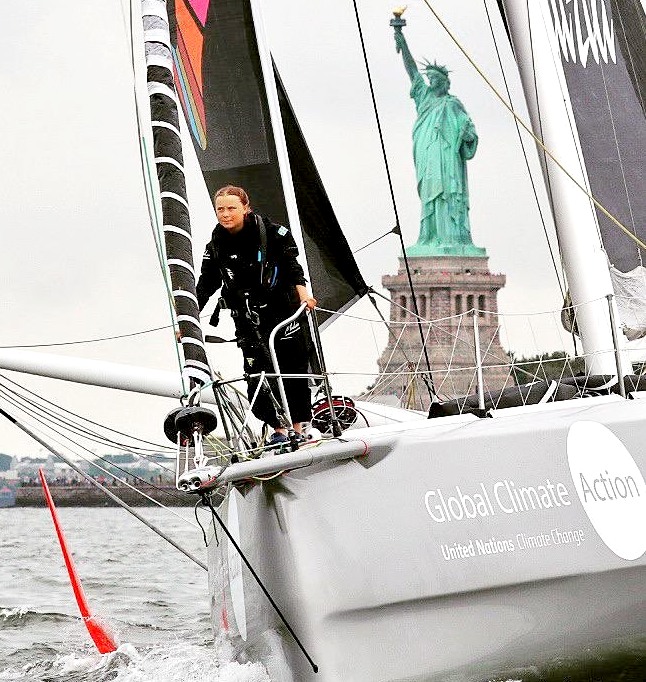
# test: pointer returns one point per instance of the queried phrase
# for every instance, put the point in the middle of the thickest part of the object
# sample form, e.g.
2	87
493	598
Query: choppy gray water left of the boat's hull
153	599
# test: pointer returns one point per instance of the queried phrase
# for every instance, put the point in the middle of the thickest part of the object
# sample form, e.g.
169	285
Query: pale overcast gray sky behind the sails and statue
78	257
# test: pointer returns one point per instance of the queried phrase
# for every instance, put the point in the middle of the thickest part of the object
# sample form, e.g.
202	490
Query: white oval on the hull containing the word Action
610	486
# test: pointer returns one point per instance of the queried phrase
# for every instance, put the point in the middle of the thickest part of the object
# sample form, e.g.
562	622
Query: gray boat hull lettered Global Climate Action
456	549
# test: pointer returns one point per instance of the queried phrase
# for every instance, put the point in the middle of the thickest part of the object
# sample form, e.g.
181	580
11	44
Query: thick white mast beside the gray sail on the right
537	52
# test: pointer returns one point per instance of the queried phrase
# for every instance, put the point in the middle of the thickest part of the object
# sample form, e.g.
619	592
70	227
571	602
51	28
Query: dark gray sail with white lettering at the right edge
603	54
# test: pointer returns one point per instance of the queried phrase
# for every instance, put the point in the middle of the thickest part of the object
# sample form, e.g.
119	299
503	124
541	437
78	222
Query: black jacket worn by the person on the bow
240	265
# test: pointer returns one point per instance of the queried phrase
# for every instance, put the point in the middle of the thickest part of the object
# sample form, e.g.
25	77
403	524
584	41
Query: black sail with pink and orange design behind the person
223	91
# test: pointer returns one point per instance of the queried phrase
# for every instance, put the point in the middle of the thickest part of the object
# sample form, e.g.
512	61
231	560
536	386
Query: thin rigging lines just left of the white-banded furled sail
151	205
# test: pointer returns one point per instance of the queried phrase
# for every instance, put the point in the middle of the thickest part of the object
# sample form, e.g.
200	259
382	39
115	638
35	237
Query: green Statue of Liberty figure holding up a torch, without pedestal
444	139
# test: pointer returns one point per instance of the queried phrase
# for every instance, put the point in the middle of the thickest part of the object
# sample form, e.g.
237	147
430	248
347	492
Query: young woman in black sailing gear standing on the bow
255	263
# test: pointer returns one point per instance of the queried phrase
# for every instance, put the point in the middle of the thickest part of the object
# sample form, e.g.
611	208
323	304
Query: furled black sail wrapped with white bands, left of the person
169	162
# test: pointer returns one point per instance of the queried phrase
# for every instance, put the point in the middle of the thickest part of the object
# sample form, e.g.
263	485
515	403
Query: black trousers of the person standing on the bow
292	346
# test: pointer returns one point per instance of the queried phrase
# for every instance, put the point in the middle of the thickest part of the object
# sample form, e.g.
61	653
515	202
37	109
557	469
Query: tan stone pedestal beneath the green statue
446	288
